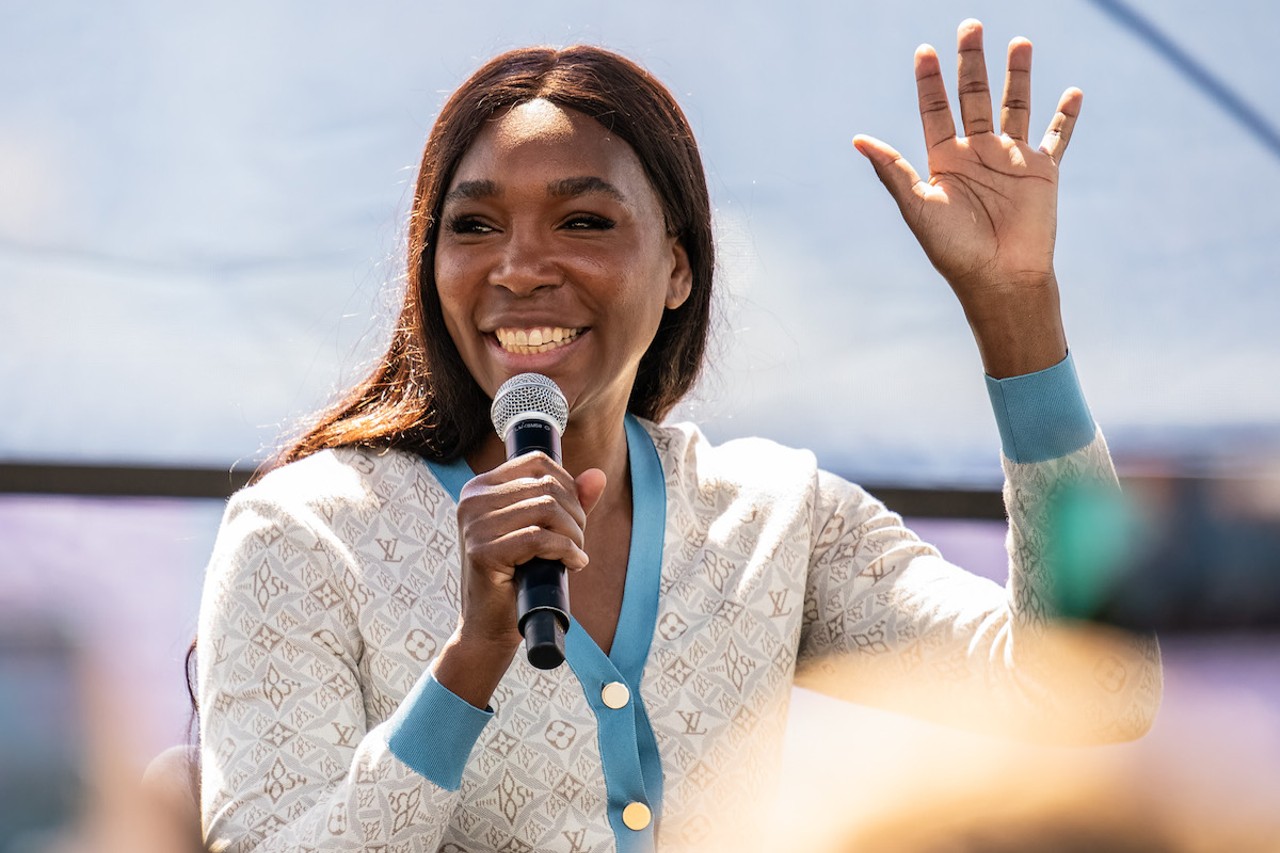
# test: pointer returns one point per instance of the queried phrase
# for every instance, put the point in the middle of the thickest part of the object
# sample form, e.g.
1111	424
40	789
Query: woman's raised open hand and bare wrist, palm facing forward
988	216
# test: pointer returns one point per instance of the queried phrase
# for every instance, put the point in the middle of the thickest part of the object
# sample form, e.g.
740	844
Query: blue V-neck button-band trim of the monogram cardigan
629	750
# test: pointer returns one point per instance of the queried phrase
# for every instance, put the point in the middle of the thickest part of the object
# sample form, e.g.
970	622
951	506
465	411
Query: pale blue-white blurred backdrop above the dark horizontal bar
202	211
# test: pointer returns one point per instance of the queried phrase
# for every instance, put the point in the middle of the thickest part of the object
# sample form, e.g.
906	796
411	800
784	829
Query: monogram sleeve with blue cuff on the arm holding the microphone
290	759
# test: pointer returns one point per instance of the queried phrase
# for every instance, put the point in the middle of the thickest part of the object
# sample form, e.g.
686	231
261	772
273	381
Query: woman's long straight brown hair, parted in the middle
420	396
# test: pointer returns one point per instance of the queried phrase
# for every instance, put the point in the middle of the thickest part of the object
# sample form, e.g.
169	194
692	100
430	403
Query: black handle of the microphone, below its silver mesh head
542	586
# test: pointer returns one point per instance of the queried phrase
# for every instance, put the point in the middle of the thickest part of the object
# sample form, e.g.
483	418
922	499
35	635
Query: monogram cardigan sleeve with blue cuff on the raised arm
892	623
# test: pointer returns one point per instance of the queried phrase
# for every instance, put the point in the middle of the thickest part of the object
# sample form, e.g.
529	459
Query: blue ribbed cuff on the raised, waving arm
1041	416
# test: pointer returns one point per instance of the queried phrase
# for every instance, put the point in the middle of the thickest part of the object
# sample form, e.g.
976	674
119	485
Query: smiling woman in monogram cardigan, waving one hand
360	681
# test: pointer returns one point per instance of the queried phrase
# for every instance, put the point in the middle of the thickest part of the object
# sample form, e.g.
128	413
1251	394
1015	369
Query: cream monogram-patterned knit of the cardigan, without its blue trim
335	582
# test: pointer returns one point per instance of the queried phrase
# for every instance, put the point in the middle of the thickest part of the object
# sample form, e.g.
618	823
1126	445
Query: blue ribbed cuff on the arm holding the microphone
433	732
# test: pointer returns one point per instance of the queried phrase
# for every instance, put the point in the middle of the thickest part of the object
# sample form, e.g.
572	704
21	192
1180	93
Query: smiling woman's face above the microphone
554	258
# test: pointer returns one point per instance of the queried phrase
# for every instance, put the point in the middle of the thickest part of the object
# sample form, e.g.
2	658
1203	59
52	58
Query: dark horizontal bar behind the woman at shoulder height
145	481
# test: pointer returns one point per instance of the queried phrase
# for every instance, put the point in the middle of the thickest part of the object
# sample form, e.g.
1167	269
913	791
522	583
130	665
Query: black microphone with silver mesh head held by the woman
531	414
